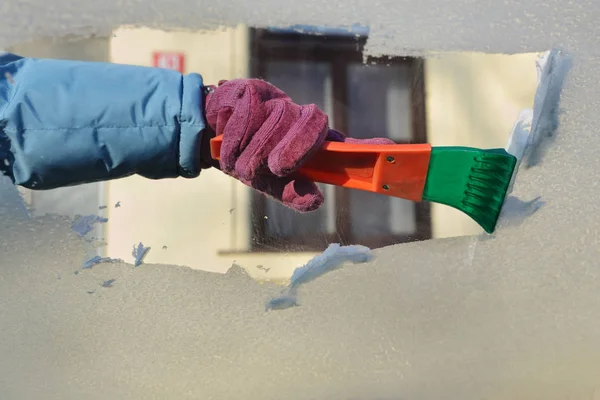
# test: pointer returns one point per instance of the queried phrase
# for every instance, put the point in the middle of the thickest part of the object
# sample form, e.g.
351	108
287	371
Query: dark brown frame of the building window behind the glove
339	52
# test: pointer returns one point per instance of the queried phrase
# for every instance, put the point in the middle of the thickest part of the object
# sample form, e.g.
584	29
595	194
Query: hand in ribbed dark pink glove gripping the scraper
266	137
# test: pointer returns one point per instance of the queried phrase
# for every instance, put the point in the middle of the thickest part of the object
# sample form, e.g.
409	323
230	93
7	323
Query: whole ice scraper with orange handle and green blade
474	181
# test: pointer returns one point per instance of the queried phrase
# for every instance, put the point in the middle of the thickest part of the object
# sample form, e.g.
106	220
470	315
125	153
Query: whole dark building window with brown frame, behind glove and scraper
382	97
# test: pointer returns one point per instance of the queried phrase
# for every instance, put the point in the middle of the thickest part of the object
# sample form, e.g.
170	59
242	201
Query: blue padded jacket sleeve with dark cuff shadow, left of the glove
64	123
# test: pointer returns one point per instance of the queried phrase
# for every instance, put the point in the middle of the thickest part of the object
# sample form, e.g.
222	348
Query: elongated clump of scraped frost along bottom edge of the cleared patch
334	257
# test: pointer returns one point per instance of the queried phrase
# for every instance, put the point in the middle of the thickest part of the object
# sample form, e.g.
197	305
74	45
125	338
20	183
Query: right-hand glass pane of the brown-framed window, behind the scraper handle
380	102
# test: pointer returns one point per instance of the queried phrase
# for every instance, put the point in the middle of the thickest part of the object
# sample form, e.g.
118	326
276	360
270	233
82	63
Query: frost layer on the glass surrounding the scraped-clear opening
514	316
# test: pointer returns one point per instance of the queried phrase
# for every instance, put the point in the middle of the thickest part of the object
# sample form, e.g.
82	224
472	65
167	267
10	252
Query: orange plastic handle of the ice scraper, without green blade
398	170
